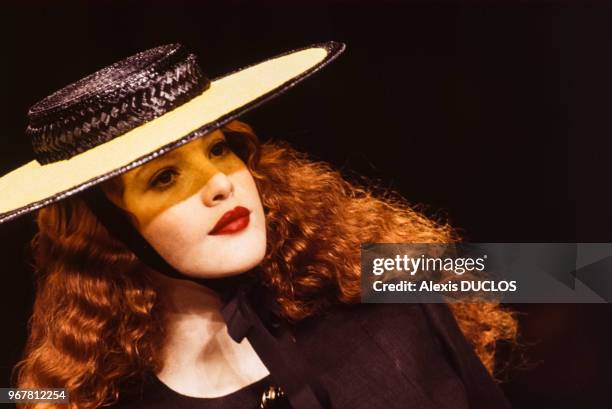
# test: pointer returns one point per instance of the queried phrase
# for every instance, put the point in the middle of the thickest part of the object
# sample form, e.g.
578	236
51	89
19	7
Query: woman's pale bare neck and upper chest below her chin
200	358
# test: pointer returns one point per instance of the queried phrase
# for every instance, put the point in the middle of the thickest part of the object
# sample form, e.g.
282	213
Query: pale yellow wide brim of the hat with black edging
33	185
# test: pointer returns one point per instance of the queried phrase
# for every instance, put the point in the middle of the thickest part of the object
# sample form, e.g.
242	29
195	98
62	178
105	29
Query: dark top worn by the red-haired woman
370	356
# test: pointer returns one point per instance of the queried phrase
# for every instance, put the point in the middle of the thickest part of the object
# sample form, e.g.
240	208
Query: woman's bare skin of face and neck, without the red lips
175	201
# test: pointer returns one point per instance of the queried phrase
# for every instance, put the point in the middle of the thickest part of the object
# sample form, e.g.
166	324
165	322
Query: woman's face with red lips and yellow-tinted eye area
179	198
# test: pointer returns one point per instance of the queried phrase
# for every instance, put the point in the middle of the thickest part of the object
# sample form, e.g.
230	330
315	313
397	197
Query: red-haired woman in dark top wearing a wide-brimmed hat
219	272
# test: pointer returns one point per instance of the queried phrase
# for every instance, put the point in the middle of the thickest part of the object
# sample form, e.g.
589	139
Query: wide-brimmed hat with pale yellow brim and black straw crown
136	110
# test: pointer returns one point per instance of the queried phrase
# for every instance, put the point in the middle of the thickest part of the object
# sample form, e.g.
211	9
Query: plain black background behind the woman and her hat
495	115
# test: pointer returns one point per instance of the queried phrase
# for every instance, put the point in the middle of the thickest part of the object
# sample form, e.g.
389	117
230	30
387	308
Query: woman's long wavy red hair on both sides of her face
96	325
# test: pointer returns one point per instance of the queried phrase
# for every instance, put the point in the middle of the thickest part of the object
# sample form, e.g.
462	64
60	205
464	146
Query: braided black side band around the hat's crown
79	129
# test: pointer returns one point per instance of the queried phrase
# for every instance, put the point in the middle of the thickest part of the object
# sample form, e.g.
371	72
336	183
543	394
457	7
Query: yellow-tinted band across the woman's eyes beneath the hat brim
163	182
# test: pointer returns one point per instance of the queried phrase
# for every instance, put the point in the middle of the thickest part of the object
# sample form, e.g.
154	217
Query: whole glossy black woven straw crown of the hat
112	101
